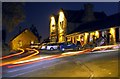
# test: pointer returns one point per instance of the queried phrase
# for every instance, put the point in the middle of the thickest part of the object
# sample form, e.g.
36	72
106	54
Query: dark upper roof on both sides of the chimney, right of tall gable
77	15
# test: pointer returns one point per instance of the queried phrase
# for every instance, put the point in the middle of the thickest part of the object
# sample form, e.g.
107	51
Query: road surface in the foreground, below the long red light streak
92	64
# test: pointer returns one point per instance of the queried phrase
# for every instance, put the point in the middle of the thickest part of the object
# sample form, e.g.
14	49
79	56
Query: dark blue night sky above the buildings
38	13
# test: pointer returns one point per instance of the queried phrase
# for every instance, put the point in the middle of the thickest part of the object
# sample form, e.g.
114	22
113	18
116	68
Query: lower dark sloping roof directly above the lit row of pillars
110	21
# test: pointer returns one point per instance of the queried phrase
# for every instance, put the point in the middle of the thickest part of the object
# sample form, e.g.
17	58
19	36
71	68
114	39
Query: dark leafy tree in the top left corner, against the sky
12	14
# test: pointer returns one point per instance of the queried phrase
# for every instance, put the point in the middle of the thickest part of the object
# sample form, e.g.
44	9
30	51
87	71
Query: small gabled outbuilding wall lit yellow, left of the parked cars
23	40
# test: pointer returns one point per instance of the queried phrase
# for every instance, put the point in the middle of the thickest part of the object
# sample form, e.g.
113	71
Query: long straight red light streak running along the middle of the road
48	58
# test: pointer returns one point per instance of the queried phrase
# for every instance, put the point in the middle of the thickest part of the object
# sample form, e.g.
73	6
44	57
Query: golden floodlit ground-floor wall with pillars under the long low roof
91	37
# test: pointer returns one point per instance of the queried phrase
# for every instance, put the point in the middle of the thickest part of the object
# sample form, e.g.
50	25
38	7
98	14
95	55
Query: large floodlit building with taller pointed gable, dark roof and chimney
86	26
